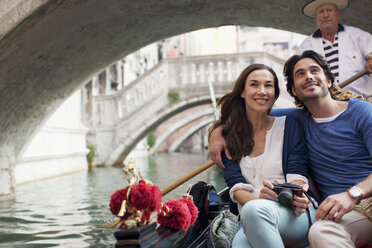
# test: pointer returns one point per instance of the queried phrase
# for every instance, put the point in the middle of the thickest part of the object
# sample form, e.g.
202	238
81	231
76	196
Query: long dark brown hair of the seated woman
237	129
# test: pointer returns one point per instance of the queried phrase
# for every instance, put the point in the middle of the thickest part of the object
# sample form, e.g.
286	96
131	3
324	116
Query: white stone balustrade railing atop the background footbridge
185	75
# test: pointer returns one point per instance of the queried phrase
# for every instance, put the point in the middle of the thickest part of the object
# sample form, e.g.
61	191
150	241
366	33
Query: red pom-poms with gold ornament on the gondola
135	203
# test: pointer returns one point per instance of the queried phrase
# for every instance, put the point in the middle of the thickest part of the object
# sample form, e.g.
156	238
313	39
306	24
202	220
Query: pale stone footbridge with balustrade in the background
121	120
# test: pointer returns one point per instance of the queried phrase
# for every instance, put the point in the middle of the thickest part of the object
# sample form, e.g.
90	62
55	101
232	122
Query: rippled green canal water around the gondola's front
70	210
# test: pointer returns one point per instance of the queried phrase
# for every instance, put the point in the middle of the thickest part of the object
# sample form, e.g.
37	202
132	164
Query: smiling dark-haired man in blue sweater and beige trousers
339	138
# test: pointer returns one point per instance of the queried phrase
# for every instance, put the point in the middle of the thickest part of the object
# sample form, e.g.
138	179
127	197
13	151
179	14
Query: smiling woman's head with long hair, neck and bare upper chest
244	111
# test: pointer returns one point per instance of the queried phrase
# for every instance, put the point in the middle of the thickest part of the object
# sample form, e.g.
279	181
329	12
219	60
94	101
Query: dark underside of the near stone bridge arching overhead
48	48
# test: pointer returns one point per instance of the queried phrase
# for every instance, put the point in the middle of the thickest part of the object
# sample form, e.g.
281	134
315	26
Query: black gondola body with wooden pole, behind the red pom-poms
209	204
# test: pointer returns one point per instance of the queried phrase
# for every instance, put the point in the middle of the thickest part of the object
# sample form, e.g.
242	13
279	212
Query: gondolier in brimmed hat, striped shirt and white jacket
348	50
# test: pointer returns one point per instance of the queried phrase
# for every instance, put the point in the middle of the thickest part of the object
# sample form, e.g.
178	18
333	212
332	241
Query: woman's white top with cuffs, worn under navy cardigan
267	166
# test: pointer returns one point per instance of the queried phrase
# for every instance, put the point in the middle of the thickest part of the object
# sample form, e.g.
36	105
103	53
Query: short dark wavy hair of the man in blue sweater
288	72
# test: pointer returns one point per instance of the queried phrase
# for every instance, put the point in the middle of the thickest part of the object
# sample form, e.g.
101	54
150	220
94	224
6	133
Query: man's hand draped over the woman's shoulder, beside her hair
217	144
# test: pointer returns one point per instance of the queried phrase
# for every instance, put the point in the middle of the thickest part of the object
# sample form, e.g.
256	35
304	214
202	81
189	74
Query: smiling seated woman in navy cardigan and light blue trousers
257	142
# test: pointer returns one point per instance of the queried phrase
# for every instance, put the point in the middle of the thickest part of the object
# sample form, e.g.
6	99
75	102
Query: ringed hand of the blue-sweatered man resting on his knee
336	206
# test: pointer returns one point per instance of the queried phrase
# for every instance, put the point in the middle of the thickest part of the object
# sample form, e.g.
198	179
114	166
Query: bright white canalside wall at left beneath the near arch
58	148
